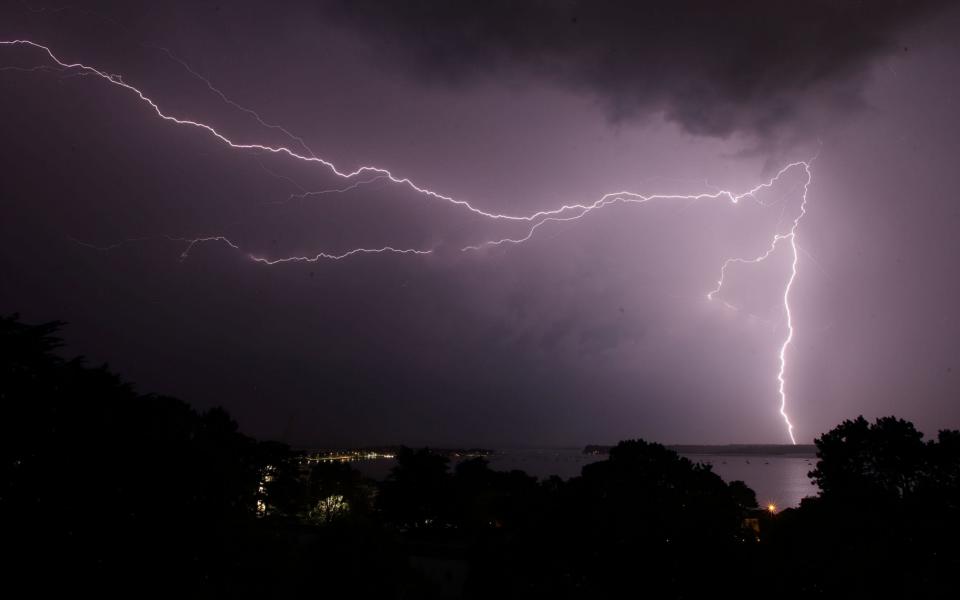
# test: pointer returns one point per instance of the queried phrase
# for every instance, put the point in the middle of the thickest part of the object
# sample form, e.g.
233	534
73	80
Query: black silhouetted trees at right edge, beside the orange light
886	521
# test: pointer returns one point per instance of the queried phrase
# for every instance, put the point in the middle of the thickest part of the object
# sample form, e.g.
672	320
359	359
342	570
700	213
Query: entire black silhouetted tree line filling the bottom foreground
107	491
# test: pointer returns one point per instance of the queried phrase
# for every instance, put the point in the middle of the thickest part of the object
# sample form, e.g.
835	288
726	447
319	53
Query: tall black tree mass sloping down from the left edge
109	491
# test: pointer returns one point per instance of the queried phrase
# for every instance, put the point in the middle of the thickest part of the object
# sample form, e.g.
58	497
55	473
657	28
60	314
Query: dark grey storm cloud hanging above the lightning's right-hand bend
715	68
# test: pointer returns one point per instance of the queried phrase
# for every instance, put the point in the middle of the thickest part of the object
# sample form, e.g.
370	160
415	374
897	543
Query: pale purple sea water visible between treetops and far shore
777	474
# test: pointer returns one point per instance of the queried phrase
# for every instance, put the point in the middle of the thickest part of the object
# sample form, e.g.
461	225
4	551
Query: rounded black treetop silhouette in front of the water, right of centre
641	520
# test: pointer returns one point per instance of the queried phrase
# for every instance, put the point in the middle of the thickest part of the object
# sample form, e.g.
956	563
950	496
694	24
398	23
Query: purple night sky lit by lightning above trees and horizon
595	329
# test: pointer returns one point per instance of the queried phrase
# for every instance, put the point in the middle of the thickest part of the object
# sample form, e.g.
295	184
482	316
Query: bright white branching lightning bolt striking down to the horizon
535	220
